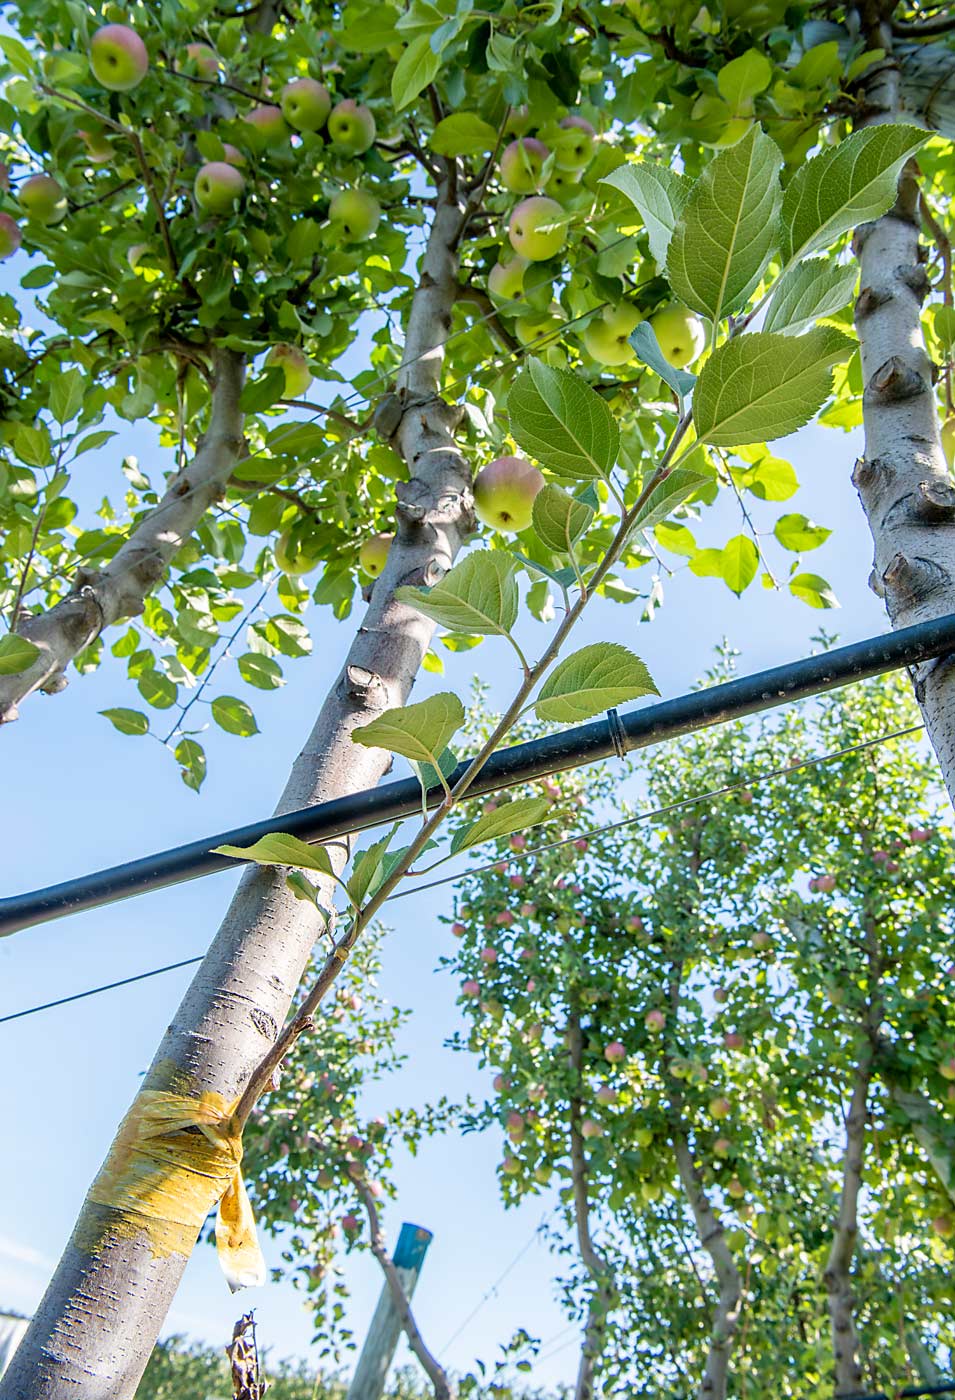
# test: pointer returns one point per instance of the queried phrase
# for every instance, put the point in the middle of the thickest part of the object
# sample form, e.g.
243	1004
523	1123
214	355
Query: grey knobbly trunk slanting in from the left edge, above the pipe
103	597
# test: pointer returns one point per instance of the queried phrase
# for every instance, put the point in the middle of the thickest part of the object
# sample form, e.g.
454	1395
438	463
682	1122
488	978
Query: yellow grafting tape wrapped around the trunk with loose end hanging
163	1181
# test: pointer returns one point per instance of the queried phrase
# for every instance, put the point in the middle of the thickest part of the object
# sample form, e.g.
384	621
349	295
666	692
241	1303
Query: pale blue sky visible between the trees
79	797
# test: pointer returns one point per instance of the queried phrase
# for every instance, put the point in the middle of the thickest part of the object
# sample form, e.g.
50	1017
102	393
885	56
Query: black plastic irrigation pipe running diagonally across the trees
522	764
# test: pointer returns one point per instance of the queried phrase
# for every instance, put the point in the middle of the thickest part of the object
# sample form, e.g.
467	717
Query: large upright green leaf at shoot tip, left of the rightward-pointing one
729	227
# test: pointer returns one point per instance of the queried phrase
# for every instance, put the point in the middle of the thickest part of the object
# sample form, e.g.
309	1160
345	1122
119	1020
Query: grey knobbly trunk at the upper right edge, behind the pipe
904	481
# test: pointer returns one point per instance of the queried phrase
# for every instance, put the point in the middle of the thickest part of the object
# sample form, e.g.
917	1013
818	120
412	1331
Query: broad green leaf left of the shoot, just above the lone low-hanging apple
562	422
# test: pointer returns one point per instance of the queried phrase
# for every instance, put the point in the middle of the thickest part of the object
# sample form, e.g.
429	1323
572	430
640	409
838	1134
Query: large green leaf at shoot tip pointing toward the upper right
844	187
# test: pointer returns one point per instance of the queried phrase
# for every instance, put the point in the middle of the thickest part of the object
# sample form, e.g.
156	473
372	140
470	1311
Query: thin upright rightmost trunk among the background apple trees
838	1273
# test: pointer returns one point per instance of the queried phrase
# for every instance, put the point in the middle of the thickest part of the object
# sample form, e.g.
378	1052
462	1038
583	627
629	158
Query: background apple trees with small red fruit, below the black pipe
726	1035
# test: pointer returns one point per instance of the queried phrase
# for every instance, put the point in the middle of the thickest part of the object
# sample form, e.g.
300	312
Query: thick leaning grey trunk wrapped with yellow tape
100	1317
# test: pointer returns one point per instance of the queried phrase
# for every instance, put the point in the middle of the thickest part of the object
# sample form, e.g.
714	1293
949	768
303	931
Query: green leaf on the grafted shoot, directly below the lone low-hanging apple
478	596
